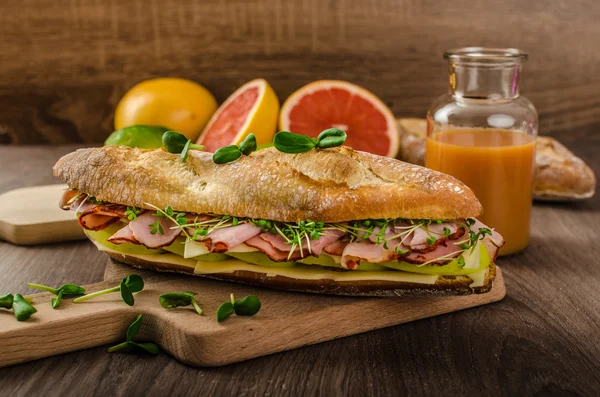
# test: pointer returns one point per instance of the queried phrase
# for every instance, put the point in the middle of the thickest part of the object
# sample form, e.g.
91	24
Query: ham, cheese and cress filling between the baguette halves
438	247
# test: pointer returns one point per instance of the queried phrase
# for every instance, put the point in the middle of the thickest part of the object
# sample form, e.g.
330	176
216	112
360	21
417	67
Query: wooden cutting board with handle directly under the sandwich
286	321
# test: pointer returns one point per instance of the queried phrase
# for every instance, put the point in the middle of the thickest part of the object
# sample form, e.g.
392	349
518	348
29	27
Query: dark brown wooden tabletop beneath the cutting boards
542	339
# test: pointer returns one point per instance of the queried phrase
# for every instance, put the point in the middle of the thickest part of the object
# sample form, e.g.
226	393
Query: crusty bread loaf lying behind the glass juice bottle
559	174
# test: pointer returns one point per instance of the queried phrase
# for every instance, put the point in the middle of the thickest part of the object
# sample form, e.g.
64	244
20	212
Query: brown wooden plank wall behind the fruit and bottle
64	64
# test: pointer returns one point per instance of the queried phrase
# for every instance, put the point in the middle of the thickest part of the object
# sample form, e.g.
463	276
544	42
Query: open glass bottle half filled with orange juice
483	133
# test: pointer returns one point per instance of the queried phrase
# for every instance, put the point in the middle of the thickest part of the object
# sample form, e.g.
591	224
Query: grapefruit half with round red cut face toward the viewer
324	104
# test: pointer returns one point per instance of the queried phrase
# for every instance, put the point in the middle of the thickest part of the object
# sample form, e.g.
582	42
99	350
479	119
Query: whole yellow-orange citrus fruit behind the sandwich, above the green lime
178	104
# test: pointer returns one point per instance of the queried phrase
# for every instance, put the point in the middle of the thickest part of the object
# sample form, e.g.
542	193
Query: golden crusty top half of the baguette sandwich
331	185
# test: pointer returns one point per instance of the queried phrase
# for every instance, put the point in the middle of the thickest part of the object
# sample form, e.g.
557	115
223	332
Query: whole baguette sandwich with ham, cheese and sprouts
334	221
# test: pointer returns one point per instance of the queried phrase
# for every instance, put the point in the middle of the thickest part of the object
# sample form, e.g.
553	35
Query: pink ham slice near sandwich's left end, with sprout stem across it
142	231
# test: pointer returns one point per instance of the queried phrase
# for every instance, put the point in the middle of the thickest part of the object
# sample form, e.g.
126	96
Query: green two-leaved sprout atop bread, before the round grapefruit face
288	142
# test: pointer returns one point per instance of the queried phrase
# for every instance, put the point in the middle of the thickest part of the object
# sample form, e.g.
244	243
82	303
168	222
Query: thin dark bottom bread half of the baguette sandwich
448	285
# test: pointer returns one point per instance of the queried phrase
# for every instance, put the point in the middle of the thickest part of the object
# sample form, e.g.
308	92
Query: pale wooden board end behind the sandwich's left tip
30	215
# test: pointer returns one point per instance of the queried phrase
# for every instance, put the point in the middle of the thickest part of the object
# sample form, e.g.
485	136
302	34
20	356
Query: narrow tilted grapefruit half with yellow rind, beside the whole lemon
252	108
